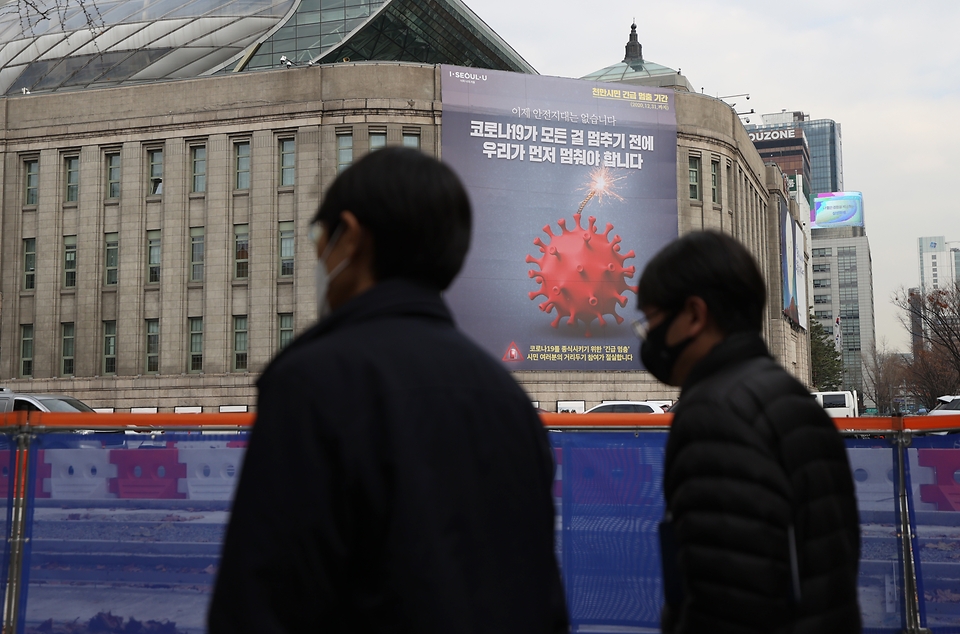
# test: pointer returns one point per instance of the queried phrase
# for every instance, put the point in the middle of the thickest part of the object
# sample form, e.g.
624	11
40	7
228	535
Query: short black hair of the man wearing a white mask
414	206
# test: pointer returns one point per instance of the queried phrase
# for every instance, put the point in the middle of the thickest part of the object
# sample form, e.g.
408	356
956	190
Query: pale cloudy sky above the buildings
888	72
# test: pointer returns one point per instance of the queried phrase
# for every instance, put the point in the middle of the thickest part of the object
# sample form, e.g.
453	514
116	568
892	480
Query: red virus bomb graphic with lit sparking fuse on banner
582	274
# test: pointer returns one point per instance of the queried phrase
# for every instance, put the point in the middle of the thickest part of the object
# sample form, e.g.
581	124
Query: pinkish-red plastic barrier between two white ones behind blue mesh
147	473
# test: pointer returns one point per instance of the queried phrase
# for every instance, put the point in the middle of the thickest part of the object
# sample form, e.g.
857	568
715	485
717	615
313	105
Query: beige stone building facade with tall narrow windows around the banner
154	250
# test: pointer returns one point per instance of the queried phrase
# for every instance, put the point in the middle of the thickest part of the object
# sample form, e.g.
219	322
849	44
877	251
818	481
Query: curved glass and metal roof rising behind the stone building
48	45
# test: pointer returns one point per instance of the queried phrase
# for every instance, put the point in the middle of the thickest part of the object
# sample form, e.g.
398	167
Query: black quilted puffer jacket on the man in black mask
750	453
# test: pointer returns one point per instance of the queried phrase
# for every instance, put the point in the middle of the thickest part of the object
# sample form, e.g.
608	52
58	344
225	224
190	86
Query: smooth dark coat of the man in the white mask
397	480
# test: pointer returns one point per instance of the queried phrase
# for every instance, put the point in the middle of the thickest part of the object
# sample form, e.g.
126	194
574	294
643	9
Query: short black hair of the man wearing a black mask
710	265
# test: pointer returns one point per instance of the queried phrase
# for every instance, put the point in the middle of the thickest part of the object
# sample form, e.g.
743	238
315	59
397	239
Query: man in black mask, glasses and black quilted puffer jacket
762	532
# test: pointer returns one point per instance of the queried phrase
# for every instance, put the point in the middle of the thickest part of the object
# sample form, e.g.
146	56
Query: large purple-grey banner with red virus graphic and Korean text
574	189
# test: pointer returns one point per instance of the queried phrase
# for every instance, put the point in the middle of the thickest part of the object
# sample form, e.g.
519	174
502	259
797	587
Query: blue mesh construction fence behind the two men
120	531
